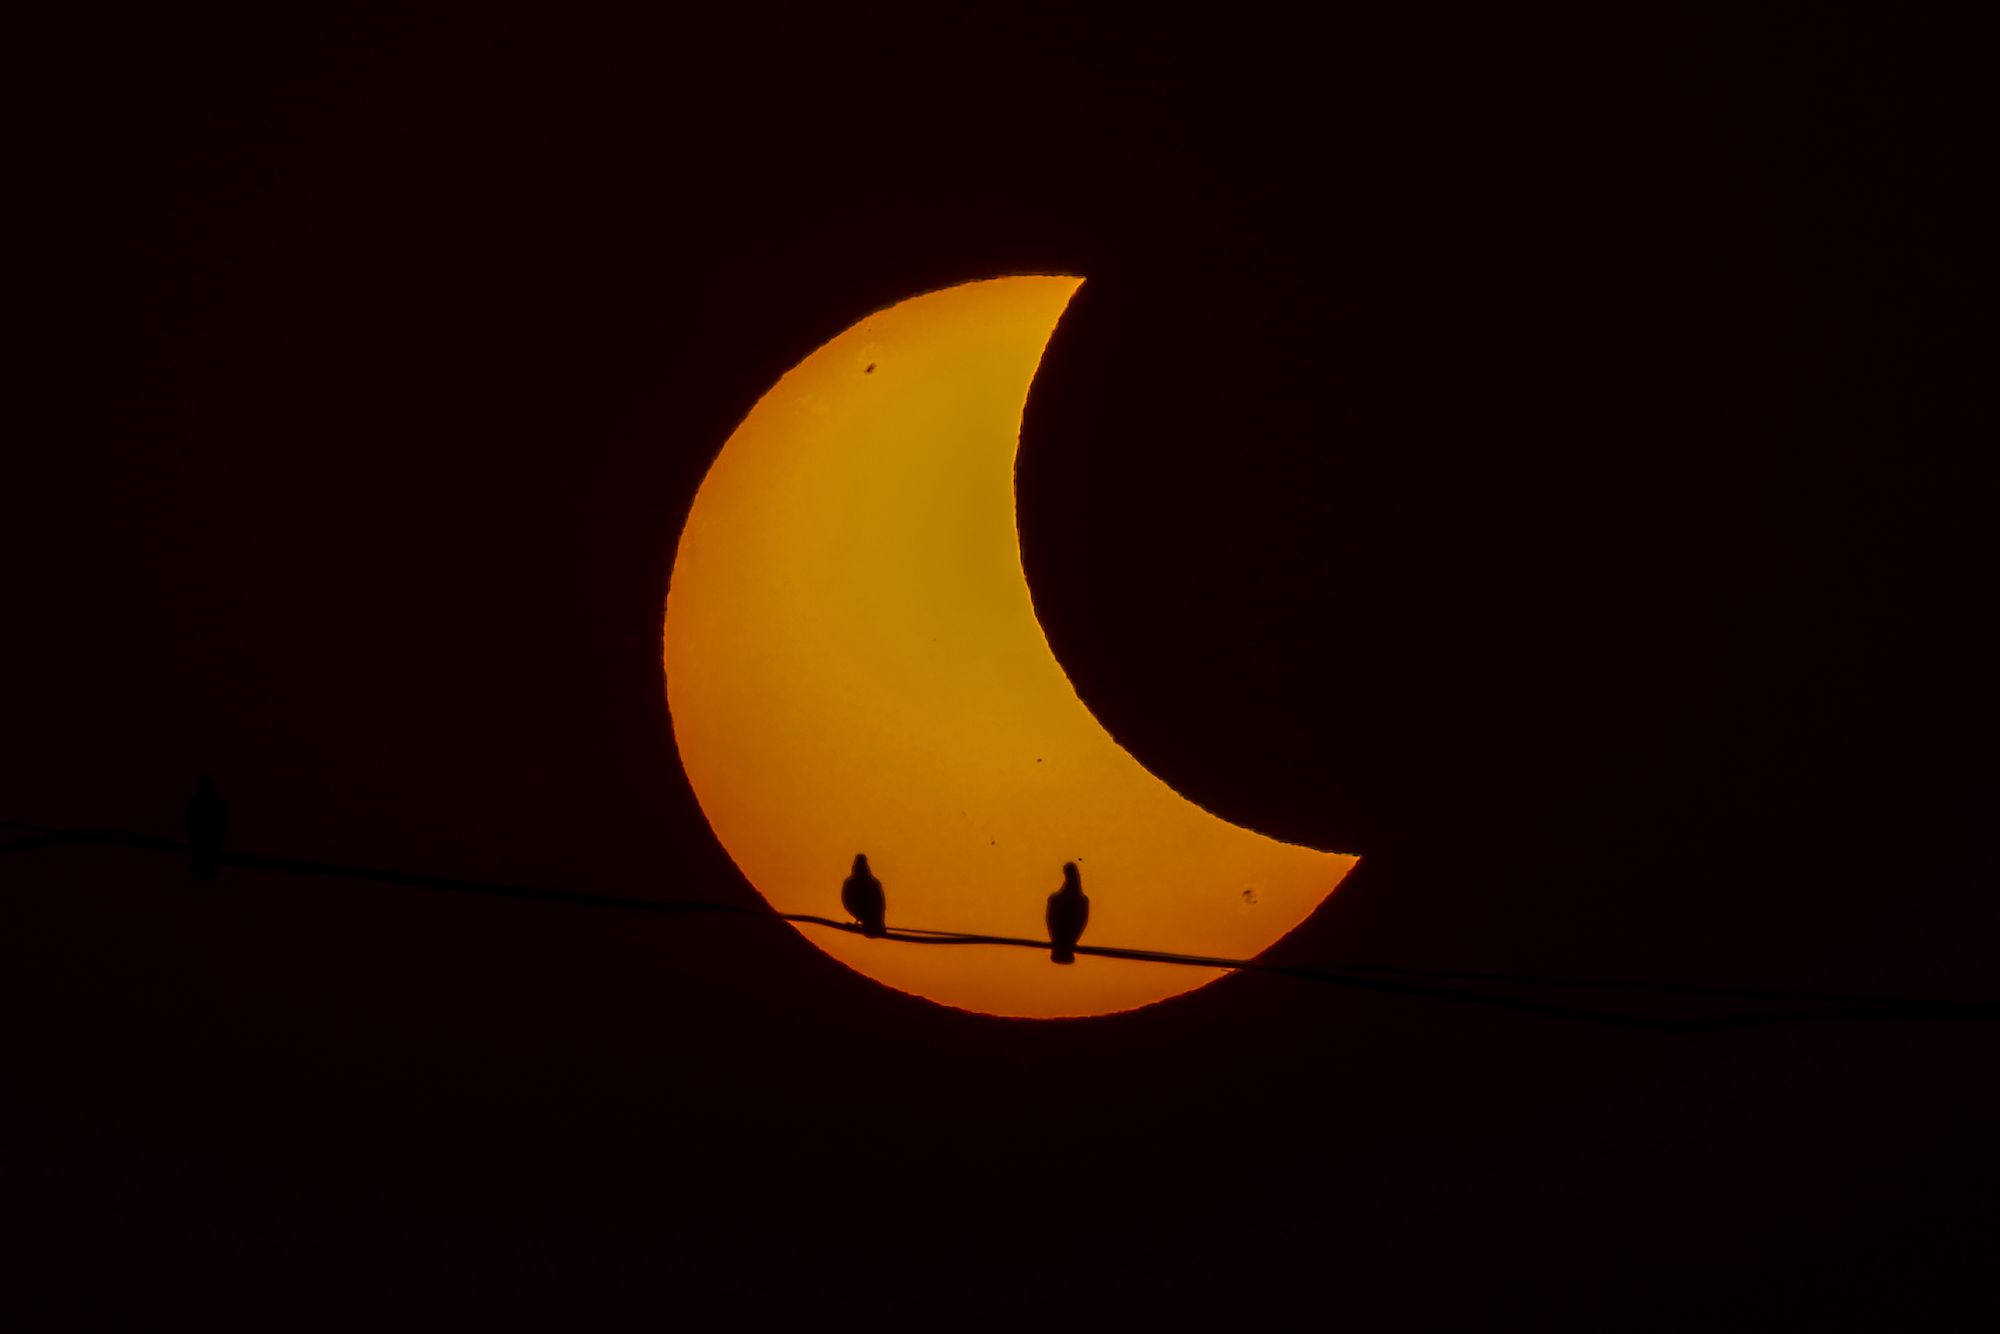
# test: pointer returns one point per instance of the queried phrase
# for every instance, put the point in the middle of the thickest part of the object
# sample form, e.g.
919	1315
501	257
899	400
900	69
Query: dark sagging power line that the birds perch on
1413	983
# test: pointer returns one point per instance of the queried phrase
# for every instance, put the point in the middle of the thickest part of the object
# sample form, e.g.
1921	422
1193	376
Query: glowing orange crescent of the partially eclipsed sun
853	665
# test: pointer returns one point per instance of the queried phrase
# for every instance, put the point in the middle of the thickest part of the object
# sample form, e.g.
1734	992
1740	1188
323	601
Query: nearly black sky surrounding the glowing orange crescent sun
1525	453
